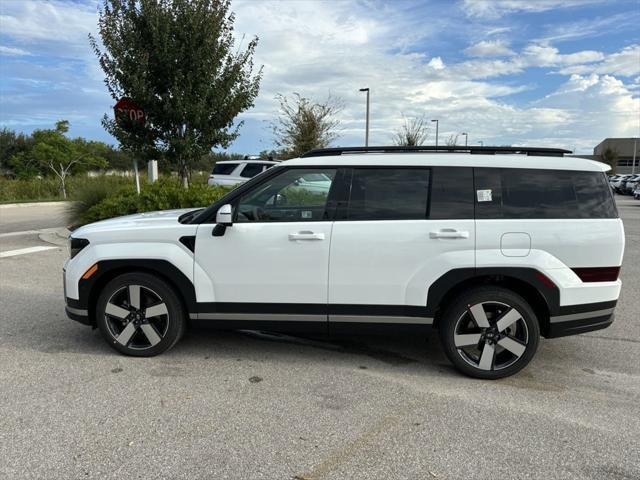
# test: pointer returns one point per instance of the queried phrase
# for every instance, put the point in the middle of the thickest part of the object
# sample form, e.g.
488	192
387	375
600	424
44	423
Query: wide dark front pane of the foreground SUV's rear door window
389	194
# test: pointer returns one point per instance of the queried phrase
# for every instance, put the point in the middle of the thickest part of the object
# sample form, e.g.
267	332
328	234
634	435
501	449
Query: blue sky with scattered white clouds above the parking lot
555	73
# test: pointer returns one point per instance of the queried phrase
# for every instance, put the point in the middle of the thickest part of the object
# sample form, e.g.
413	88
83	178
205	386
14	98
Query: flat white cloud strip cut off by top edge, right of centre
498	8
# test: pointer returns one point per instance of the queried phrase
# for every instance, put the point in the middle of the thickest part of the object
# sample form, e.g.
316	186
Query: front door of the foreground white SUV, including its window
272	263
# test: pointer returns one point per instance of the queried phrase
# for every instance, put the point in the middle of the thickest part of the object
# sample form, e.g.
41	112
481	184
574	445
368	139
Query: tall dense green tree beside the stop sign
178	61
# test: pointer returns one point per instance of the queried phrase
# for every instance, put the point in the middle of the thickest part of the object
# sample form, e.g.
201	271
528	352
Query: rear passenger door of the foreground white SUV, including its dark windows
403	228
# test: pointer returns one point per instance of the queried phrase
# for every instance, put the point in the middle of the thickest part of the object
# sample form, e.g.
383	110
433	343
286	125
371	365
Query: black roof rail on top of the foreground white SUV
533	151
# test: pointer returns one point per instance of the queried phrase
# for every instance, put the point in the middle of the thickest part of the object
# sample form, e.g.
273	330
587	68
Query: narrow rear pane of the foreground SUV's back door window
451	193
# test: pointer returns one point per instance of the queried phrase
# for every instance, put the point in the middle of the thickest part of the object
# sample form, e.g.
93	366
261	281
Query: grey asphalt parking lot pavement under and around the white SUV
259	406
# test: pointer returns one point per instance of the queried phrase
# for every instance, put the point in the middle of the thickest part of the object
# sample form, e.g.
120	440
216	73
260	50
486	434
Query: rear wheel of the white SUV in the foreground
501	350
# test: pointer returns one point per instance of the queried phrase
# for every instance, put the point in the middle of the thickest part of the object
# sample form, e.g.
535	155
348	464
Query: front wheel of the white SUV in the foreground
127	328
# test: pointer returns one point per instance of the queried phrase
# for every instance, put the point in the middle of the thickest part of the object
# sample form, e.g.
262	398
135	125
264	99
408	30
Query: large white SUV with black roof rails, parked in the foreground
493	250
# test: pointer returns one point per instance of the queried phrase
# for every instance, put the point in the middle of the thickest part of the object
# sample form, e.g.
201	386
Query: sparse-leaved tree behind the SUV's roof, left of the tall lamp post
303	124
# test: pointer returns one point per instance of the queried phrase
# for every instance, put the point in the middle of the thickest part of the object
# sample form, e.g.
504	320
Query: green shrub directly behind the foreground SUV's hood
165	194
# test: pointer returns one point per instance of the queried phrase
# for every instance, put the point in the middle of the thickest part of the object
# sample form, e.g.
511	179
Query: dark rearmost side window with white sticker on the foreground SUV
530	193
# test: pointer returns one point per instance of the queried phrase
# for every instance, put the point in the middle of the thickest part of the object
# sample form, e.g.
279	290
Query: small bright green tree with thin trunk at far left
54	151
